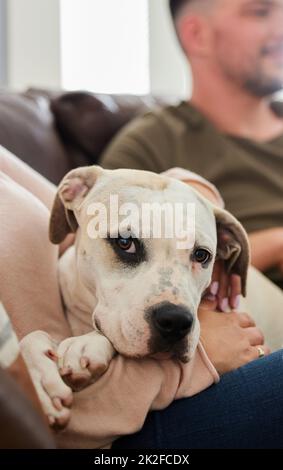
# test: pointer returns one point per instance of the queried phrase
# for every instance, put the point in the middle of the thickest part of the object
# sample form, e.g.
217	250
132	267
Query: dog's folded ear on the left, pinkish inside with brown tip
70	194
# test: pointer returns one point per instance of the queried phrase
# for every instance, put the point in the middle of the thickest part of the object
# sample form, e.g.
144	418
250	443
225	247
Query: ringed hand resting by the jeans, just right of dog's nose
230	341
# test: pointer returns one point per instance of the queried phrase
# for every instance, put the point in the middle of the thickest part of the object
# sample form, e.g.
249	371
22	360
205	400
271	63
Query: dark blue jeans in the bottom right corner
245	410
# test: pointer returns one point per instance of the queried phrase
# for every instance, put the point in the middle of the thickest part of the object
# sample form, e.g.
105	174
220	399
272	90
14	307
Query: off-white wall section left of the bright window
33	37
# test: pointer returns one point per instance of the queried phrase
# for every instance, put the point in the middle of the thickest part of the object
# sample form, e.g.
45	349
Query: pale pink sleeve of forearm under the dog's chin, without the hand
121	399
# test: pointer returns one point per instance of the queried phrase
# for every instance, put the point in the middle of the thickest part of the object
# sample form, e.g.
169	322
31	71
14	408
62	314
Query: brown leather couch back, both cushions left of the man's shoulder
54	132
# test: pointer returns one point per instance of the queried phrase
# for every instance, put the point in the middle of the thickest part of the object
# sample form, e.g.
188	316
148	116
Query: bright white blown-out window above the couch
105	45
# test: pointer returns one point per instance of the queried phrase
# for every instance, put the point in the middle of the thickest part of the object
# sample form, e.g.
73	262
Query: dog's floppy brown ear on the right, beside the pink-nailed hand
232	245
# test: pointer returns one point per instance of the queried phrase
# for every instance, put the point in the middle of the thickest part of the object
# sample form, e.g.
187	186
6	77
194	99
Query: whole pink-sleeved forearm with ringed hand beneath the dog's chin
118	403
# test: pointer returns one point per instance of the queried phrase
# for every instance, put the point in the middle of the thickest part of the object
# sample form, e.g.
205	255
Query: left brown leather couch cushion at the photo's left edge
27	130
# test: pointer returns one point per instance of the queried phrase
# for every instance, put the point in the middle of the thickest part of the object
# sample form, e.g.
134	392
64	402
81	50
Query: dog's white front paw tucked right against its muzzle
83	359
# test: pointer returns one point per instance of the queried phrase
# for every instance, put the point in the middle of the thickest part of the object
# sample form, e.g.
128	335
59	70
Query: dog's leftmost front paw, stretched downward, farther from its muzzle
39	353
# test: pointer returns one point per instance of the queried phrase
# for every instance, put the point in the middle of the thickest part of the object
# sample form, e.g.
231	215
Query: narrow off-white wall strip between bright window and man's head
169	72
